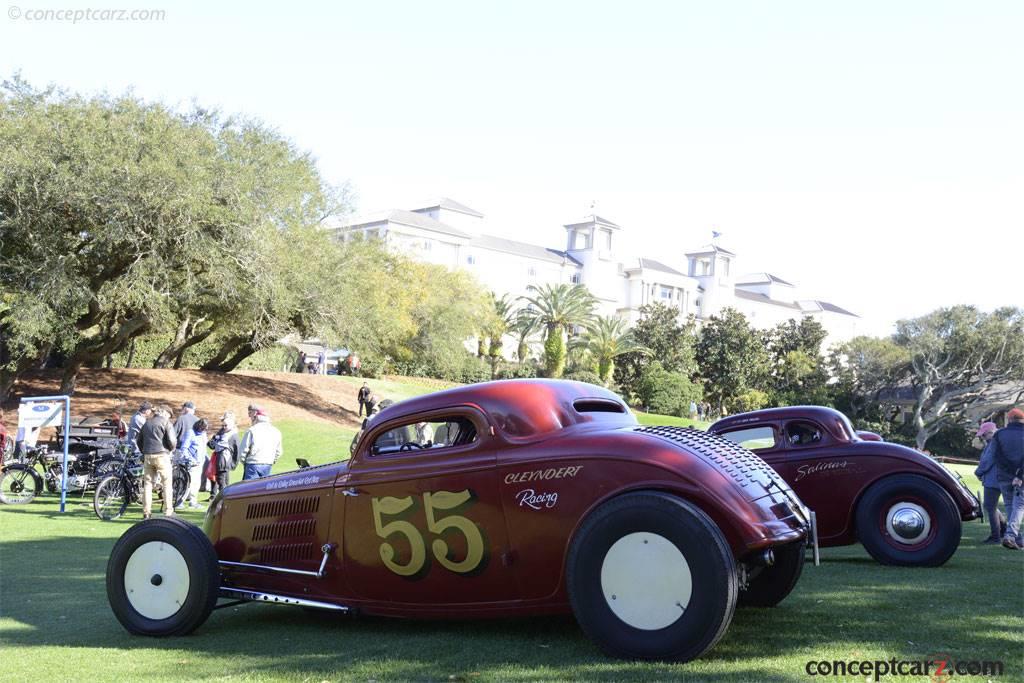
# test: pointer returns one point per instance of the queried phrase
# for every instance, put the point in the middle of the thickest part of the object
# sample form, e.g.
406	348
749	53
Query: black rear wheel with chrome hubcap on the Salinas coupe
908	521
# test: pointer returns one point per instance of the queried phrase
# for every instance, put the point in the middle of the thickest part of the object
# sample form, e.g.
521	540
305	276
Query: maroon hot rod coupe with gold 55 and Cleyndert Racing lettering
524	497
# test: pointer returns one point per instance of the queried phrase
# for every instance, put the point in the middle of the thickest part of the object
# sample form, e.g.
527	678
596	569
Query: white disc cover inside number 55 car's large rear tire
647	581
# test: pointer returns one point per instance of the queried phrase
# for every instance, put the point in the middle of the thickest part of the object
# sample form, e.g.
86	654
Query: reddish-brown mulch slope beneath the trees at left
286	396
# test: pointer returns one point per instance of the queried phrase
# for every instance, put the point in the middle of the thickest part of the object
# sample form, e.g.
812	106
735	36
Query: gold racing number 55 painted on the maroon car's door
437	526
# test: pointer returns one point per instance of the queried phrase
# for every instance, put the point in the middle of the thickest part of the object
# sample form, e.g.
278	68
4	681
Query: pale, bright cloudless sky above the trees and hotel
871	152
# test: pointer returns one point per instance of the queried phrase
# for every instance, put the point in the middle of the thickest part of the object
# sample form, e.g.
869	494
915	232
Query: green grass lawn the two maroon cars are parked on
56	624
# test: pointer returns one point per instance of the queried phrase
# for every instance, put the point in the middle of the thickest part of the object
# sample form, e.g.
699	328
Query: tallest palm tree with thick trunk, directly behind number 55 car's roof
559	309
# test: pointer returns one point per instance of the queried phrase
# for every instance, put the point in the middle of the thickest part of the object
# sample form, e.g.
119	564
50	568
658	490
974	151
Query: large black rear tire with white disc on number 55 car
651	577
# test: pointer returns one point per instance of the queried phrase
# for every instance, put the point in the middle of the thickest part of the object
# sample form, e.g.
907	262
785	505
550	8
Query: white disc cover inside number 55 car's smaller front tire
157	580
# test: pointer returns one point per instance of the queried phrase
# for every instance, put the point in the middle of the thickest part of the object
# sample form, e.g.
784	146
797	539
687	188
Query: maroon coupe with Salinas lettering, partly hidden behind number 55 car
905	507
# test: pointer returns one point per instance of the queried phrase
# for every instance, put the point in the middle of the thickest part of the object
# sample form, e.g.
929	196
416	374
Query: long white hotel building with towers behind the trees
700	283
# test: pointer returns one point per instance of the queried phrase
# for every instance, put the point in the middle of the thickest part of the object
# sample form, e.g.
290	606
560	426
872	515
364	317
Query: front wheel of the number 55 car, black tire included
163	578
